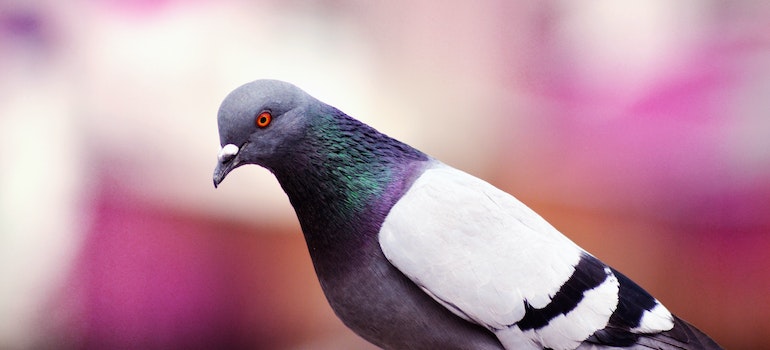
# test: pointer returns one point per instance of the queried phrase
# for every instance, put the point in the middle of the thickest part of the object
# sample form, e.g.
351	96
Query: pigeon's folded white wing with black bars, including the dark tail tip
491	260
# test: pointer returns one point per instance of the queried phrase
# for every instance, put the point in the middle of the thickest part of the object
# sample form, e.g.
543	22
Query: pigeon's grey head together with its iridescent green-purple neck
340	175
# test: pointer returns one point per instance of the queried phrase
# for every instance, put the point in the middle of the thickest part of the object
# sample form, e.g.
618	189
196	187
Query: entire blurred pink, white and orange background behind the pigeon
639	128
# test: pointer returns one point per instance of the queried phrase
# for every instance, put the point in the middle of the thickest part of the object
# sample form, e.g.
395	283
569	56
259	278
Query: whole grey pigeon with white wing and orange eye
414	254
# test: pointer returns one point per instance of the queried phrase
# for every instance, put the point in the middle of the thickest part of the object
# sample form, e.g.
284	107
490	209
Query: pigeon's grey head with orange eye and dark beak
258	123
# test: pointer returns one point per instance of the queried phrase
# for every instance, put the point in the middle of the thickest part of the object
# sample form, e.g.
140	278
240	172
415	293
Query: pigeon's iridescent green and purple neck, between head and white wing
342	181
